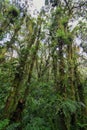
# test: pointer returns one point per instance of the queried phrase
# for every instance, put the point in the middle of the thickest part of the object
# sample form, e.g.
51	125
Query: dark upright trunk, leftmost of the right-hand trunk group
62	88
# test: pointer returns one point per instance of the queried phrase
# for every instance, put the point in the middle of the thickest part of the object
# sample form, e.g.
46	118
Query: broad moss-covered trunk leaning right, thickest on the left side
16	100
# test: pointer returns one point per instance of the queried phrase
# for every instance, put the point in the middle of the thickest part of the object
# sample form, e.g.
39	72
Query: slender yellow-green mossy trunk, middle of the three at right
71	78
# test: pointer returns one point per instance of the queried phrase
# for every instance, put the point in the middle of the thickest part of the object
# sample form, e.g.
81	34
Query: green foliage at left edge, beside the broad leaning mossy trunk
7	71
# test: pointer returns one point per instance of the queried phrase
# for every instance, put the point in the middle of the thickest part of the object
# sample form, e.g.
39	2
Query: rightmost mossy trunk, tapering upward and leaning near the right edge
80	96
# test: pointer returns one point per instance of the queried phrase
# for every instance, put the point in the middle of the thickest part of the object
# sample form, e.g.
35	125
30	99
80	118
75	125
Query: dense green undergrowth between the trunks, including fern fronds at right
43	106
